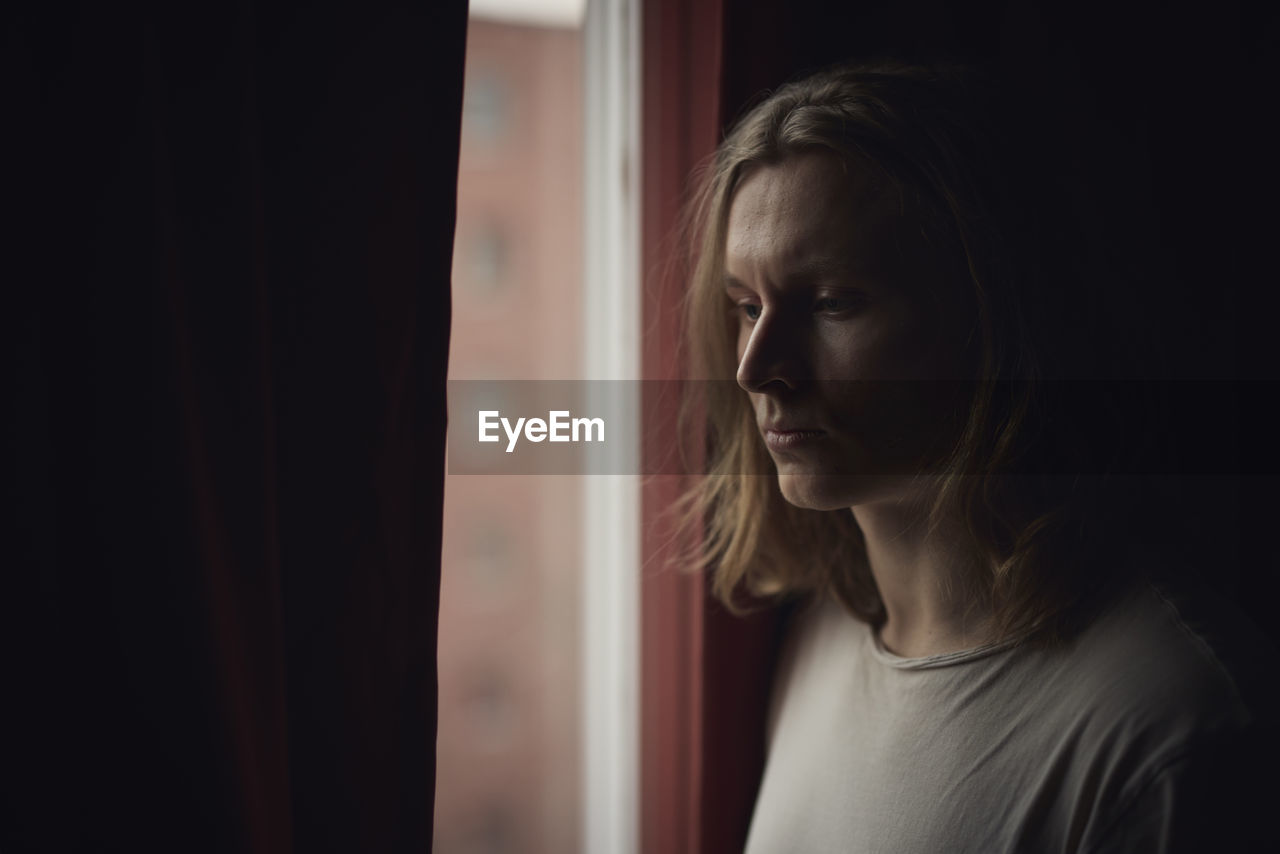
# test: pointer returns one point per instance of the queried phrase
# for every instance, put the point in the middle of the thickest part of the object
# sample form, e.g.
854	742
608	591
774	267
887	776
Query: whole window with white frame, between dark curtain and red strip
537	745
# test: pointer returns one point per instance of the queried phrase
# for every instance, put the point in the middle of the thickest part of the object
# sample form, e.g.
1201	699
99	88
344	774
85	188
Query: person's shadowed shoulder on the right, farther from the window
1180	696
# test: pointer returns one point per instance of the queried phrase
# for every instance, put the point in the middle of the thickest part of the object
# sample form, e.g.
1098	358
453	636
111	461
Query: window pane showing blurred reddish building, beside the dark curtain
509	746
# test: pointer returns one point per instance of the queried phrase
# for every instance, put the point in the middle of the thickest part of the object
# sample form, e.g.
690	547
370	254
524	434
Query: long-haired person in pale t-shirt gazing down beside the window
989	649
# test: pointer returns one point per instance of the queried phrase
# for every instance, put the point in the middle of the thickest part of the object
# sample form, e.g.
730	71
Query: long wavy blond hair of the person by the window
940	135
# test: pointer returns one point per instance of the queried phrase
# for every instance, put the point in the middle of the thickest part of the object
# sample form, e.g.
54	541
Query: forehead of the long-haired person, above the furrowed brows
813	208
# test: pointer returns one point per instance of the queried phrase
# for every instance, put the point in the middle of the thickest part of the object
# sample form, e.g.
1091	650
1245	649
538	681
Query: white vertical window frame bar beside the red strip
611	524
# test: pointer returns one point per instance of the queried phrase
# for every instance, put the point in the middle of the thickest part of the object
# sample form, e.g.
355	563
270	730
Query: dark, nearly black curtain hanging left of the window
227	331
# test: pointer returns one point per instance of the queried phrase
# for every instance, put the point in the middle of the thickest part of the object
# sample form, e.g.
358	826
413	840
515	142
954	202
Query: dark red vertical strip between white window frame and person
705	674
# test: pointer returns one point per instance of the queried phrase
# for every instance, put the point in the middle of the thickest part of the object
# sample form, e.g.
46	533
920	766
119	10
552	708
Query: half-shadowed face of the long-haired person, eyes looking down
848	321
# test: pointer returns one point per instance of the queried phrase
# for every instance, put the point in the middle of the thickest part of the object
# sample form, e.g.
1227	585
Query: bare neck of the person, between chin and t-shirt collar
924	581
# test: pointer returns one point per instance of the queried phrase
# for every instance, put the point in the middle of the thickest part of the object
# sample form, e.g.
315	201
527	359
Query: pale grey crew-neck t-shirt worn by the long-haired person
1141	736
